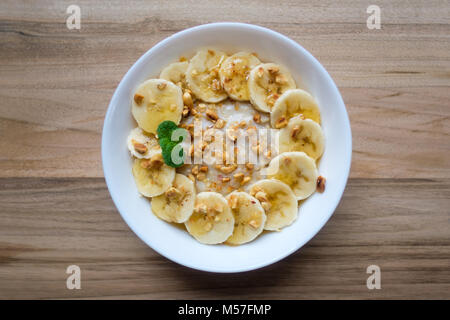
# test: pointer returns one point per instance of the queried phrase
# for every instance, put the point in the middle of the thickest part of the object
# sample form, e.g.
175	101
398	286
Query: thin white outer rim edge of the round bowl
308	56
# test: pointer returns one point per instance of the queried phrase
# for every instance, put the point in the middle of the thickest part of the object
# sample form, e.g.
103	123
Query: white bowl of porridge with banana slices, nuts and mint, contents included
226	147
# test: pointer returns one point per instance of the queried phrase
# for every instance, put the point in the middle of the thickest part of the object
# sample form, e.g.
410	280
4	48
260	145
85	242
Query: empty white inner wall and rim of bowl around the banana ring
175	243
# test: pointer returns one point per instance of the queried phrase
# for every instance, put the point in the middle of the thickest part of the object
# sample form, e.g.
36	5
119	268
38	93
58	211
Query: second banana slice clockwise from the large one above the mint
202	75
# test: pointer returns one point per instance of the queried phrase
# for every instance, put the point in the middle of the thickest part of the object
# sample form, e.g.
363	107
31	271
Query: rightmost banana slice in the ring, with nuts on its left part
302	135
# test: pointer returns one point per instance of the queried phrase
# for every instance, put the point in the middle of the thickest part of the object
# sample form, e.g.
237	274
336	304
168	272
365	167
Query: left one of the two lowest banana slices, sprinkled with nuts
212	221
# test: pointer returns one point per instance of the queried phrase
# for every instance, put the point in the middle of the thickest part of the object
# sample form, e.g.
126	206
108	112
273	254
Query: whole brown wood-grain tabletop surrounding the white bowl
55	210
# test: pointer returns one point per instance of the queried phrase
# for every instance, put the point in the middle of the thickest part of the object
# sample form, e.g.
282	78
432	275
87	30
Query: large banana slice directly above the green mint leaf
154	101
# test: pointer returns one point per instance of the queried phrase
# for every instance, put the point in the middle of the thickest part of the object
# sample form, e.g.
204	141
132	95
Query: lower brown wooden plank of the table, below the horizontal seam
400	225
